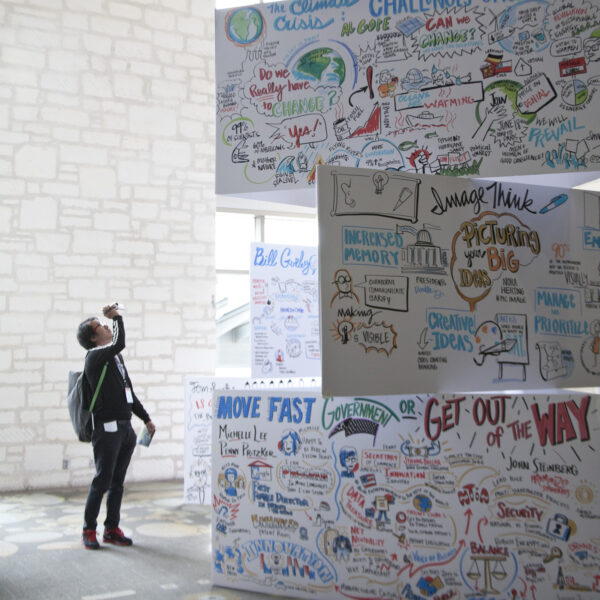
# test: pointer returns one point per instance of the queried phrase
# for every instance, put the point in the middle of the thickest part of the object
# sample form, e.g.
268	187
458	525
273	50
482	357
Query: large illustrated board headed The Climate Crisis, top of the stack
449	88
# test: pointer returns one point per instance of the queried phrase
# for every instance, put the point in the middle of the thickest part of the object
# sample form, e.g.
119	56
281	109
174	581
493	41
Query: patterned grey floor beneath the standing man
41	554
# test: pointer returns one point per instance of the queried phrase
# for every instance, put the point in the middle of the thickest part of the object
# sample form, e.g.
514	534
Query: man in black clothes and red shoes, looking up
113	438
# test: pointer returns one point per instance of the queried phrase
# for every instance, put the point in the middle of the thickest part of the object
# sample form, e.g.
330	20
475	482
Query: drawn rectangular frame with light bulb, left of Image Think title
384	193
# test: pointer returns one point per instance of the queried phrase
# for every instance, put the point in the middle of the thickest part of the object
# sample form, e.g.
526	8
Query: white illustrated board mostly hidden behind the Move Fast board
198	398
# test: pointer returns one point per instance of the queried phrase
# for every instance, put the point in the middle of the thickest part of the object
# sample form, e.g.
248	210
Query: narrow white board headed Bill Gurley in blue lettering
284	311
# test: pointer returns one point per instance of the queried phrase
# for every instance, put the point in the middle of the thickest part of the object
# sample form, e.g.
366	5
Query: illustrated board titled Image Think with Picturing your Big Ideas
433	283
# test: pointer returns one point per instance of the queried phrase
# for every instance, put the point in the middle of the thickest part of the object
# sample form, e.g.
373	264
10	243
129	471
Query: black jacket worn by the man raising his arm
111	403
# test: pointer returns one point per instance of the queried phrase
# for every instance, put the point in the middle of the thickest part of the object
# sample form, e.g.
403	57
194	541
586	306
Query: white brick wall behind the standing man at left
103	128
